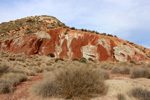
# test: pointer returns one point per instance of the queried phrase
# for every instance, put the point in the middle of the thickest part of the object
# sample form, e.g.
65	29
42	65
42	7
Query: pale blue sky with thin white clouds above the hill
128	19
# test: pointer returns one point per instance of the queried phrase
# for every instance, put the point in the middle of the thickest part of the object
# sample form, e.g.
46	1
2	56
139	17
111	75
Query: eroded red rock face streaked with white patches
74	44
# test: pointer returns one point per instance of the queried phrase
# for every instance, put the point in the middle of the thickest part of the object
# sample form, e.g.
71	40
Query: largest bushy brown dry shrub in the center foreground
72	82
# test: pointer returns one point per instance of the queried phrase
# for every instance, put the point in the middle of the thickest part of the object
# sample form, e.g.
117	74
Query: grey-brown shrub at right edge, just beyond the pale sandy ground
140	73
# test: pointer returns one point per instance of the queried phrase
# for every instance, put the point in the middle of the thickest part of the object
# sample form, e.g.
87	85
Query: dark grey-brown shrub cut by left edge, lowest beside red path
5	86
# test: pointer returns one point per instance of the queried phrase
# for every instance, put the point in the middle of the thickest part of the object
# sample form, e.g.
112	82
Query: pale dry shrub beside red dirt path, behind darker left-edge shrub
14	78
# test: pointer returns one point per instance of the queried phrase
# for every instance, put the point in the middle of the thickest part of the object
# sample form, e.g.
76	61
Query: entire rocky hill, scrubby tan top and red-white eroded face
45	35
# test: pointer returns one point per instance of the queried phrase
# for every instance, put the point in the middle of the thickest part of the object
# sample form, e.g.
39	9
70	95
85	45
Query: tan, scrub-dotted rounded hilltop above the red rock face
29	25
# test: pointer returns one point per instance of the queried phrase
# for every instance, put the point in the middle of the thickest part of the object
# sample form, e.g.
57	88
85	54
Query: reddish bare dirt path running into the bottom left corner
22	91
